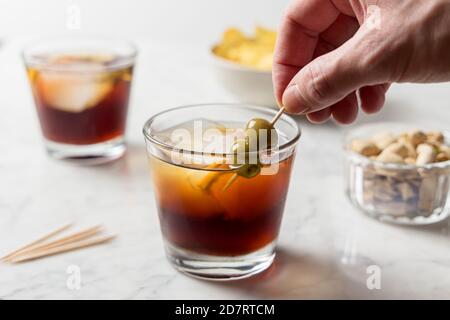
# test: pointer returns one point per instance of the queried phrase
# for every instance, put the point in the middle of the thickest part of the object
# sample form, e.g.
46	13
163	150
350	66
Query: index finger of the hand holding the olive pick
298	36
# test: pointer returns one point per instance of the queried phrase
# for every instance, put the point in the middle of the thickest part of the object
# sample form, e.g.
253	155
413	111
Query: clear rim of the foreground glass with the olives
290	143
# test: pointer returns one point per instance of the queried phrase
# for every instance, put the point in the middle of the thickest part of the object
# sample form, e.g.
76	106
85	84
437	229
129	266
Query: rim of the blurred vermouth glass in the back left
33	60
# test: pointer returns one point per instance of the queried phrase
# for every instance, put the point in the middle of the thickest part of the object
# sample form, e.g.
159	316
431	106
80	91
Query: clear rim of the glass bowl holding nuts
390	166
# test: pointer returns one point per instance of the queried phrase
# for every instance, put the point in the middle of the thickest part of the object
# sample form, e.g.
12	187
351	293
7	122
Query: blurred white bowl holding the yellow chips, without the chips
246	84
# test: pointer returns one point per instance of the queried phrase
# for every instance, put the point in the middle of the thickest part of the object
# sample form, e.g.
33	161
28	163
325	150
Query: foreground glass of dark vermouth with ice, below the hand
220	203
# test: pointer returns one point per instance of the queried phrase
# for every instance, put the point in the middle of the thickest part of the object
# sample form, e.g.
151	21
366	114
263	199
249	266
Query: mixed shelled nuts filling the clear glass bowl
401	191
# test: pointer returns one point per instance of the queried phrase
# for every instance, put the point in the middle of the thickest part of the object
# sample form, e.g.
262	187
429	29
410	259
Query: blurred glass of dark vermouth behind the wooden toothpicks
81	87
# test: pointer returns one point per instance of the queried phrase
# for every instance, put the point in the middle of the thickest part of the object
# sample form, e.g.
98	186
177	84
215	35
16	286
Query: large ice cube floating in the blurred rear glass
73	92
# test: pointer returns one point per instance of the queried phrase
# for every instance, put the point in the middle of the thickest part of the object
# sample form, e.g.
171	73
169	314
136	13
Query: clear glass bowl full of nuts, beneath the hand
400	174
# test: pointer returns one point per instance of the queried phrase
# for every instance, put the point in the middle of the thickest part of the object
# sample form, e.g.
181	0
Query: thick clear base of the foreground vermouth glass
220	268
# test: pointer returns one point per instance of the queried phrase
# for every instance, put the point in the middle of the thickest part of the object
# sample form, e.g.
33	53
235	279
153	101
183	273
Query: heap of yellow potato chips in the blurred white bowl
255	52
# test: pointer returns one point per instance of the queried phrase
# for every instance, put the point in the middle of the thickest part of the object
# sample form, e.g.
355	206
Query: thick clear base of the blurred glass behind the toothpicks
92	154
